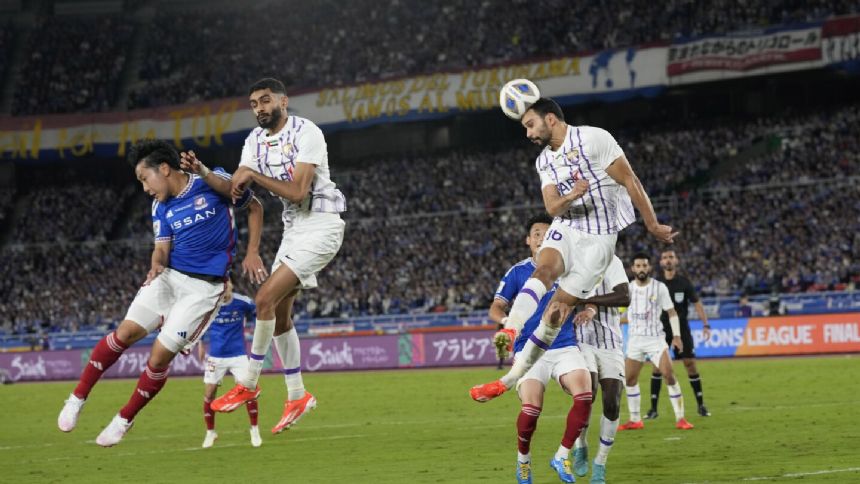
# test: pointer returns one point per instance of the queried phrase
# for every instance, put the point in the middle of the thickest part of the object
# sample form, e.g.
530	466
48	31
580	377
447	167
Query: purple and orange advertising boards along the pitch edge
784	335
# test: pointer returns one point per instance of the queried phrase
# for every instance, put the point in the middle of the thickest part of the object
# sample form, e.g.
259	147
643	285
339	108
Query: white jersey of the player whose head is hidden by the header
604	330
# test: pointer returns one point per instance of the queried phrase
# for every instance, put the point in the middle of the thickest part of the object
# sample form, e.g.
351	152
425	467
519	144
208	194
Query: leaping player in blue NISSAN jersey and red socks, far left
195	244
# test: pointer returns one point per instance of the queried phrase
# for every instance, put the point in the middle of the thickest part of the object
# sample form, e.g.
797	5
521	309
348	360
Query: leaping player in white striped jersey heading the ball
589	187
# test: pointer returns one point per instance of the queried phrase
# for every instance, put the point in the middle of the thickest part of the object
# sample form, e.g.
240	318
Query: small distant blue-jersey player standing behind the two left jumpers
227	353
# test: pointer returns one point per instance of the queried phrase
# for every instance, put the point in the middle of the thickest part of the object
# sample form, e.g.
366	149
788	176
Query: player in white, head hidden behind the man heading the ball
598	331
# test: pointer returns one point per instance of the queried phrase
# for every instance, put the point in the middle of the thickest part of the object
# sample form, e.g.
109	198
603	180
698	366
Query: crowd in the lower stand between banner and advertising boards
443	244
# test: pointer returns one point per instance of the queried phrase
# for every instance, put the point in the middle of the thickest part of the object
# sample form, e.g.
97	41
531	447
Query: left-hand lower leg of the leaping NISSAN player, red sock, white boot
106	352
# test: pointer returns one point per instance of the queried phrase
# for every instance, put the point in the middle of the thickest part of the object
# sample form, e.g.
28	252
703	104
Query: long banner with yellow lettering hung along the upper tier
609	75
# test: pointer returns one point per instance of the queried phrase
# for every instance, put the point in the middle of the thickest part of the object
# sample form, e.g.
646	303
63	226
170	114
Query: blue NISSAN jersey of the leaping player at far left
200	224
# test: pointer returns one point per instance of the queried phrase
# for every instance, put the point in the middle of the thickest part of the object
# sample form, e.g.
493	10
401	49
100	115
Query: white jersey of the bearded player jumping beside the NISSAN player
275	156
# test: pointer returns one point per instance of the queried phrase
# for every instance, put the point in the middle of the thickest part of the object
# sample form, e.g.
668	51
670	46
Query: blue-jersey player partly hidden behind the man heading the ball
562	362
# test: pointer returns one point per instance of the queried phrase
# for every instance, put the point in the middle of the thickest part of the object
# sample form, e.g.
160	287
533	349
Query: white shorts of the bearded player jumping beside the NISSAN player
309	245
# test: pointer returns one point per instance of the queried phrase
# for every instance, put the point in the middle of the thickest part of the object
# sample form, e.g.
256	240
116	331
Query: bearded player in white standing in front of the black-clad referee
648	299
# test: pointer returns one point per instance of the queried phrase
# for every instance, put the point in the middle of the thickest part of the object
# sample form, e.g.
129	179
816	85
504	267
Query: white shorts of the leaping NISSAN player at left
182	306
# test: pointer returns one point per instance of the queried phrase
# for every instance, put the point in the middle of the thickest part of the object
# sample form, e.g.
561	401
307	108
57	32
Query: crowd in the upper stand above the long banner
74	64
